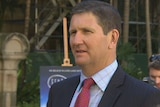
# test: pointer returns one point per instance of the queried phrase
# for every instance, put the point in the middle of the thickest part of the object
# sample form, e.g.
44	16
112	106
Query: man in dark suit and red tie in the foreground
95	29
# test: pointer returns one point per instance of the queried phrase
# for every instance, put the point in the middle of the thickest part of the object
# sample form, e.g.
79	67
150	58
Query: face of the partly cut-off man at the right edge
155	76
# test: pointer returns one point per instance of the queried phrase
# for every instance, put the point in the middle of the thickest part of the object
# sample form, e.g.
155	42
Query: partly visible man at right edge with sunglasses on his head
154	70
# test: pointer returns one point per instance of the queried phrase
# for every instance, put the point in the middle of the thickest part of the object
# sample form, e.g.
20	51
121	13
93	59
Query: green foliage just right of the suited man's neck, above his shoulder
126	59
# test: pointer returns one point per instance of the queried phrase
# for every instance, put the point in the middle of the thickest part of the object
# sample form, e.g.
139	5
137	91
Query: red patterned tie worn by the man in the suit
84	97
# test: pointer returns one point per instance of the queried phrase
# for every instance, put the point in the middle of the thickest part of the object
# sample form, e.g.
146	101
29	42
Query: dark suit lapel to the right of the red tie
114	89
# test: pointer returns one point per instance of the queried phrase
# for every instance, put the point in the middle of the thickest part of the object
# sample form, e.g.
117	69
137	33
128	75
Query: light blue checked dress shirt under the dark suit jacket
101	79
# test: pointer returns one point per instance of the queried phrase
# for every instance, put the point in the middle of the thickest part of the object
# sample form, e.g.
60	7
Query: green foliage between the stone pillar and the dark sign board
28	85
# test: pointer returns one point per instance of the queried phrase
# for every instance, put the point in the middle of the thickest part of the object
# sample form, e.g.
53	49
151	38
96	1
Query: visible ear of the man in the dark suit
114	38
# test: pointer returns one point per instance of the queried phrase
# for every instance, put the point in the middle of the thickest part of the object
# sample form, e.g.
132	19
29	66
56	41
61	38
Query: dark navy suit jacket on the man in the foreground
122	91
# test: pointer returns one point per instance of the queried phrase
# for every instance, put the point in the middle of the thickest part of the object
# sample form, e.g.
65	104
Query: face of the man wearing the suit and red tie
90	46
